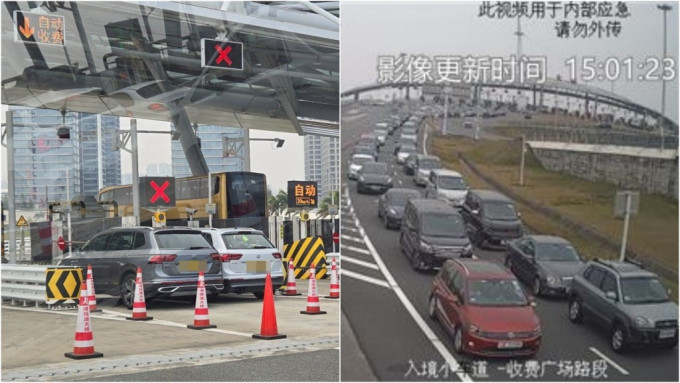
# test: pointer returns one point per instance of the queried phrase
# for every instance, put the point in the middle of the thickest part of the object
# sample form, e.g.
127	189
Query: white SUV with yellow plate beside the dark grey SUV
247	256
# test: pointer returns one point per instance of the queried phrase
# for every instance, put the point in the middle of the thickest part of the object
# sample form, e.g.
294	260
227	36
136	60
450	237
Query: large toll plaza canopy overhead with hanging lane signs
144	60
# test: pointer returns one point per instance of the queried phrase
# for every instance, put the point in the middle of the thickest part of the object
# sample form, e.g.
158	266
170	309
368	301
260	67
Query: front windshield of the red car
496	292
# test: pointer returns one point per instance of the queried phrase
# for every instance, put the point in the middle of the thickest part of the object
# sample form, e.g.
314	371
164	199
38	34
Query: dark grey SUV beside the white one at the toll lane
170	259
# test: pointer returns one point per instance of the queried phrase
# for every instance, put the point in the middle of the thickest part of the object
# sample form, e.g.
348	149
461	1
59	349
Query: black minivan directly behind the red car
432	232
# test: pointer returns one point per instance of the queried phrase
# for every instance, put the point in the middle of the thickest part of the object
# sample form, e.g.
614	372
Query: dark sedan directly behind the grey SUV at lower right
547	263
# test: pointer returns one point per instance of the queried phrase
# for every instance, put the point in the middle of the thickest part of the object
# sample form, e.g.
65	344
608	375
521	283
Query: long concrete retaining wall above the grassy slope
647	170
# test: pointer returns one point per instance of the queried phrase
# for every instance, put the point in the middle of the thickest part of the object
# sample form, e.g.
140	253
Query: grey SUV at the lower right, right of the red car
629	300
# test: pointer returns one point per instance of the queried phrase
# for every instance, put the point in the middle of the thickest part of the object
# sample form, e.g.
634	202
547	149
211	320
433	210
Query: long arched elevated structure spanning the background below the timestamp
592	97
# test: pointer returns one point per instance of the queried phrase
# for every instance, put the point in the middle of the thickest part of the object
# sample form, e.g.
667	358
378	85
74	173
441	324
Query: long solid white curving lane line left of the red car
431	336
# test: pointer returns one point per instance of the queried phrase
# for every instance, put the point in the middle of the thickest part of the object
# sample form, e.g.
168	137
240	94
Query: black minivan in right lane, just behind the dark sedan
492	218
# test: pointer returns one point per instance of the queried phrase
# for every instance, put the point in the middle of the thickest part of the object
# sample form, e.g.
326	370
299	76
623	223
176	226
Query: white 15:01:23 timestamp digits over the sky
614	68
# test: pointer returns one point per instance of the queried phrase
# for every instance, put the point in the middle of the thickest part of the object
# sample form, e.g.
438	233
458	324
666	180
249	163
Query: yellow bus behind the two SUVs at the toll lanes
240	199
